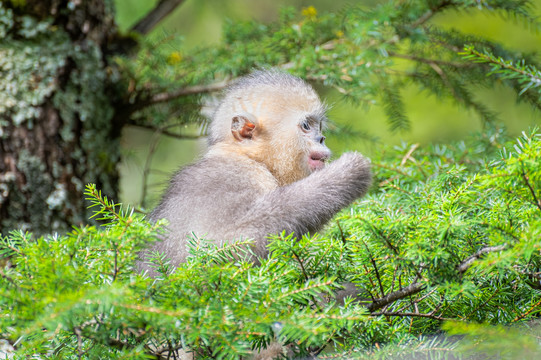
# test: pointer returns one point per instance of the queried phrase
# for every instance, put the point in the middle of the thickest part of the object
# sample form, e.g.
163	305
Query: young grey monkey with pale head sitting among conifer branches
265	170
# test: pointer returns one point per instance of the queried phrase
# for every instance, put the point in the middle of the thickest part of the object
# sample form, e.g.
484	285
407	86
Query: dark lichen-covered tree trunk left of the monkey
57	111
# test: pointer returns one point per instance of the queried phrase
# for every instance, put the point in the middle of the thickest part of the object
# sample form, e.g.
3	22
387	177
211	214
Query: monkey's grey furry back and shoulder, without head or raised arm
206	198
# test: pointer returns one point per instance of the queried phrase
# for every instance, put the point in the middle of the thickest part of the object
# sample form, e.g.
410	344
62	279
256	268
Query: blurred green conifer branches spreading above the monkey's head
368	55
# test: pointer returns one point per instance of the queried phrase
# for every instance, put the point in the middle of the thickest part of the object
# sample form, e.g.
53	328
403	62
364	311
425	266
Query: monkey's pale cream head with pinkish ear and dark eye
276	120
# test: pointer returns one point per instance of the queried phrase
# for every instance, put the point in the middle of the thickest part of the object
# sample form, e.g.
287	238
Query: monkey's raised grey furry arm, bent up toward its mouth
306	205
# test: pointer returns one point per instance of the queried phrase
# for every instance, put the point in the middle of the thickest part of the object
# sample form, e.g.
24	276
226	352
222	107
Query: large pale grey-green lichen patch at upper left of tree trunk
28	66
